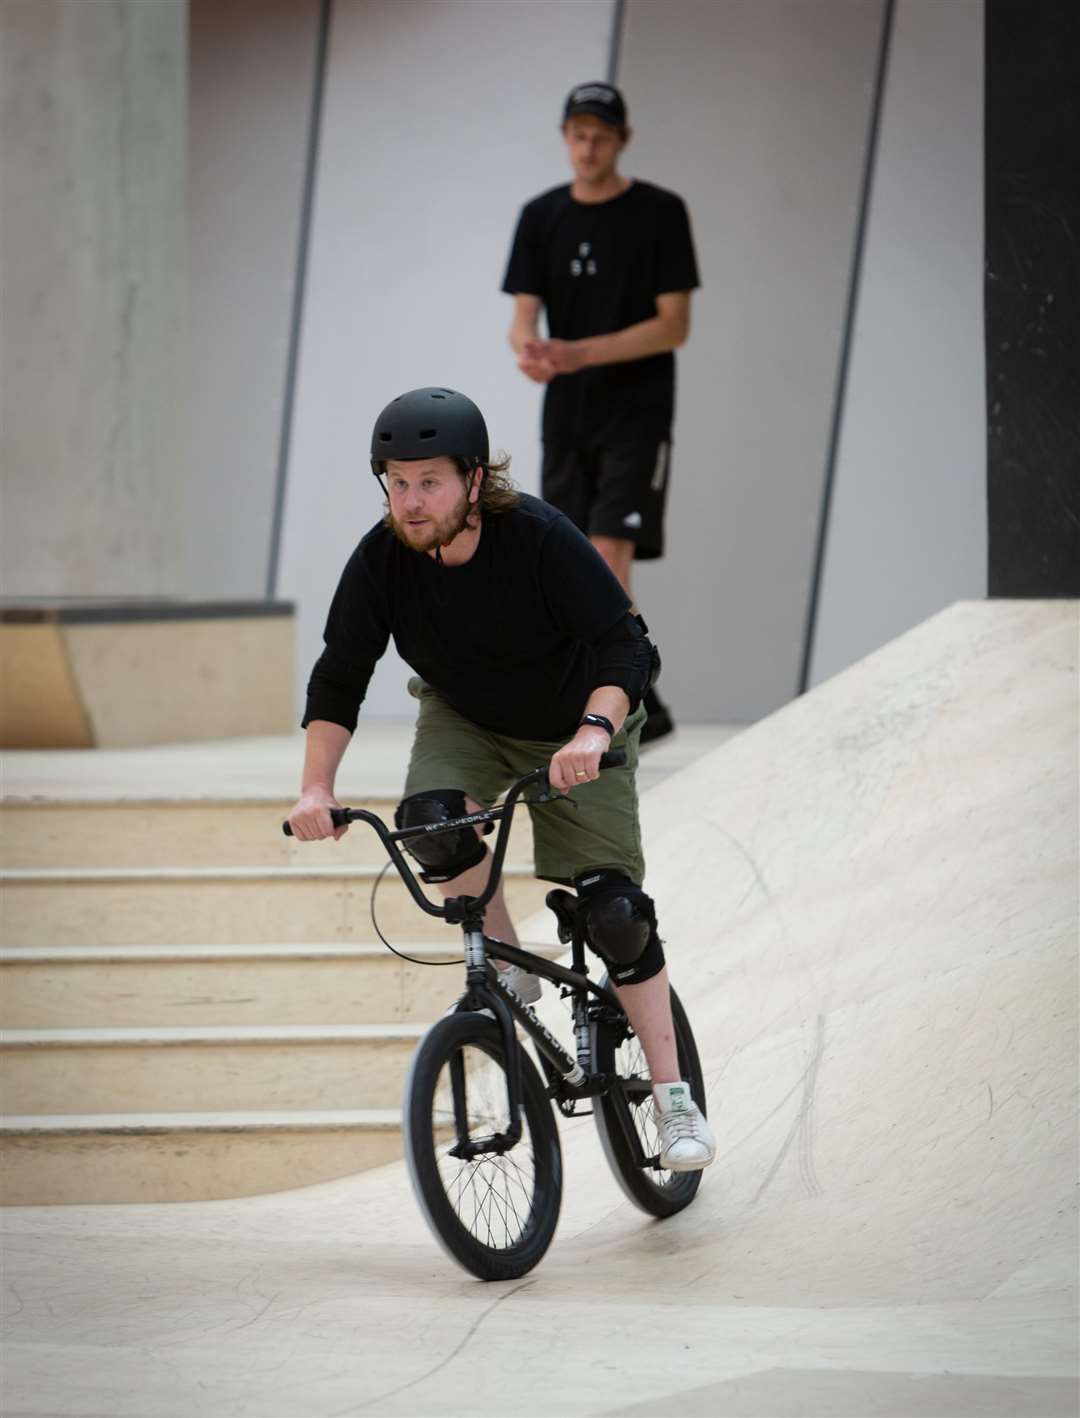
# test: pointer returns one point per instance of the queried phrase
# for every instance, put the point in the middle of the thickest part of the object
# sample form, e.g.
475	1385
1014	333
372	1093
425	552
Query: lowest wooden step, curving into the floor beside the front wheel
117	1158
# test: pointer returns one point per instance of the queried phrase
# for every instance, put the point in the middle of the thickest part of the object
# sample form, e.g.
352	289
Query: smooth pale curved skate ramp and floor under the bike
872	915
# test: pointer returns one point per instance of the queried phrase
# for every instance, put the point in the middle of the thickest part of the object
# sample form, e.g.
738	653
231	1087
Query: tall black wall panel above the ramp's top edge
1034	296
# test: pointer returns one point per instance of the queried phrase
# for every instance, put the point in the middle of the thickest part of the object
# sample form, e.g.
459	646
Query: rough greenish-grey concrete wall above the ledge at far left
93	405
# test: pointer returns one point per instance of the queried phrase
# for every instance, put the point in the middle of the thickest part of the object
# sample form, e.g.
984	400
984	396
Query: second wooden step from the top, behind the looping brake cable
225	905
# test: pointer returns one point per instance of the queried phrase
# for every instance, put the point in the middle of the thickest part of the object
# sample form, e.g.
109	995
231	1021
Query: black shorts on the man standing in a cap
619	491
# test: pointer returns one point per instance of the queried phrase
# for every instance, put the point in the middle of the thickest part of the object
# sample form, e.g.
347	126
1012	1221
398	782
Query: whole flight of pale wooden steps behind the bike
195	1006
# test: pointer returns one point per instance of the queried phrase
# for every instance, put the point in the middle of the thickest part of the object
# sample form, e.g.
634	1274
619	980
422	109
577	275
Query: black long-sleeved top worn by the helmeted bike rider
510	639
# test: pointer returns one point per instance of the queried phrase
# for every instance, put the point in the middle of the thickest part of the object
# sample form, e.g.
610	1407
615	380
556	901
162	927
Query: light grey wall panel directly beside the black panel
908	532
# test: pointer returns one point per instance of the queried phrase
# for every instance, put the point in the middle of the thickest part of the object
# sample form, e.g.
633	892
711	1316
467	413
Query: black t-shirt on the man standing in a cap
599	267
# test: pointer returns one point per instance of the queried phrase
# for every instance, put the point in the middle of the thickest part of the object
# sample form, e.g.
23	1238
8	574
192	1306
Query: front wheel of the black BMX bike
493	1215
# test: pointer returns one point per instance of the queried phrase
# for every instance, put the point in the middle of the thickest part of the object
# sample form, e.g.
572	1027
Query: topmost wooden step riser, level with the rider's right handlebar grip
185	833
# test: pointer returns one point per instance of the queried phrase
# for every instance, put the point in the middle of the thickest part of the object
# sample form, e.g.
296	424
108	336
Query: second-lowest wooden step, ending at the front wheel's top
198	1070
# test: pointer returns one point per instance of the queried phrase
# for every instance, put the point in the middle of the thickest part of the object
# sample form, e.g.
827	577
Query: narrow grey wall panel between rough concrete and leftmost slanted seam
253	74
